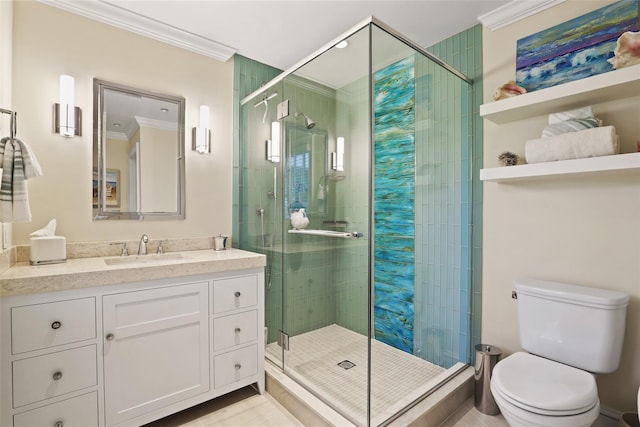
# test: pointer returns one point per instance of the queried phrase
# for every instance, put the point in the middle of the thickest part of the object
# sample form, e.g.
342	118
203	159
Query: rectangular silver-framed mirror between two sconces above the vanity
138	153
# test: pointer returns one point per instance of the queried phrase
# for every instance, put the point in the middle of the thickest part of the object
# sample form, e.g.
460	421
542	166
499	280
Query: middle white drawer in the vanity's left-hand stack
34	379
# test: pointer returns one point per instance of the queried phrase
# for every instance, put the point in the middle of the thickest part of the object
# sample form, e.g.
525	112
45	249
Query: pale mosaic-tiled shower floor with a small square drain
398	378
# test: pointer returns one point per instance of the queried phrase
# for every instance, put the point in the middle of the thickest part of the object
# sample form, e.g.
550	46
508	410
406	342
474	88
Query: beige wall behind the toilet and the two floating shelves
583	230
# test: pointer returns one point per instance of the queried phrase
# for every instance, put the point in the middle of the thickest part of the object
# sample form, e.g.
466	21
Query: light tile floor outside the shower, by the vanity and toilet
246	408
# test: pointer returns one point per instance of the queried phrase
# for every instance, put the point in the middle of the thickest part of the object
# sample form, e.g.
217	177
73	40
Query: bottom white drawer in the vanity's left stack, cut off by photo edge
81	411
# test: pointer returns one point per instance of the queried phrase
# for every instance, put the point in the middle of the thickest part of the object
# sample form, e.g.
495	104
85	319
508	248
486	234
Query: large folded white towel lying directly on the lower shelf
600	141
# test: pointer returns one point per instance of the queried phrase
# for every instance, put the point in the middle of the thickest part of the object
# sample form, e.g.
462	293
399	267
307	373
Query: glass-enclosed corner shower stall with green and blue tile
355	181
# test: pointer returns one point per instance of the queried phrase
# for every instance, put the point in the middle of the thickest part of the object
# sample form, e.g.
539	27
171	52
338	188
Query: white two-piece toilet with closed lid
570	333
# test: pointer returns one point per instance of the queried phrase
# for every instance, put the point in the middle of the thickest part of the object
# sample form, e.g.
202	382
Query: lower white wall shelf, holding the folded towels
620	163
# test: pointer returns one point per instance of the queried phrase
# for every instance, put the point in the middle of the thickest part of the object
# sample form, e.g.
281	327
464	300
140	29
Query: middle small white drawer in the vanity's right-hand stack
229	331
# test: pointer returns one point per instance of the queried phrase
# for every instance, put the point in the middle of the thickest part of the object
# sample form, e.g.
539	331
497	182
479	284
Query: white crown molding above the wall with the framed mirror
117	17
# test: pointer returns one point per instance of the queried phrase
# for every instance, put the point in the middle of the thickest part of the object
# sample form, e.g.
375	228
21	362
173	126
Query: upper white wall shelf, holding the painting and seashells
601	88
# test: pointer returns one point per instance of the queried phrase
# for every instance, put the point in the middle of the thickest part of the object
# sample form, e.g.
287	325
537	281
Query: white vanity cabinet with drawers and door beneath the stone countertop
125	355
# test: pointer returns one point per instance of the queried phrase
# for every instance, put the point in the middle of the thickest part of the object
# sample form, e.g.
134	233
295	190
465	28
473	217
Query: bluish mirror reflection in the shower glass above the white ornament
306	169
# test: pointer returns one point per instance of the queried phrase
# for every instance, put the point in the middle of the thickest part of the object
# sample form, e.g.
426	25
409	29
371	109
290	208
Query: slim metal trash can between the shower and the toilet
486	358
